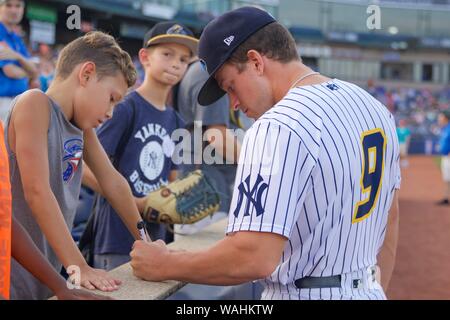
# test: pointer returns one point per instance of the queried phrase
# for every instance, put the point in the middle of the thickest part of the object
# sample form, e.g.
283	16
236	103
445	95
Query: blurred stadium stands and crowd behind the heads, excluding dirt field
405	64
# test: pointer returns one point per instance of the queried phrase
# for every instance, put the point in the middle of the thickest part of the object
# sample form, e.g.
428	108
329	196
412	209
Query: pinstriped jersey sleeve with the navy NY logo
273	173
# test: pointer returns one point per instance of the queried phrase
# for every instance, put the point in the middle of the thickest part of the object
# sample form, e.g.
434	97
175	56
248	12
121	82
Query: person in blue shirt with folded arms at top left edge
16	68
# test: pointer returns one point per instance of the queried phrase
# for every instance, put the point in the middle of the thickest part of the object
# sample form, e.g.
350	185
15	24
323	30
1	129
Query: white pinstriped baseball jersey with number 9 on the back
320	168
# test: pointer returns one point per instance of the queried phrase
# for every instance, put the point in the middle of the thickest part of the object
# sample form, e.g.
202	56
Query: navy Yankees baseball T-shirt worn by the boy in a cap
138	139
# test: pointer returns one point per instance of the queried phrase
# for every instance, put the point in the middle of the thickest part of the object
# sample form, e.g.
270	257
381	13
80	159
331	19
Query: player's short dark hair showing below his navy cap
273	41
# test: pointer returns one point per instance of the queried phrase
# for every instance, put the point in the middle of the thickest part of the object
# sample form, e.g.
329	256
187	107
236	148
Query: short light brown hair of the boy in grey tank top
103	50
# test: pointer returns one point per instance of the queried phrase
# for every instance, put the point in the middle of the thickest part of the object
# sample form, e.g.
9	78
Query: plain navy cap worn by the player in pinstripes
219	40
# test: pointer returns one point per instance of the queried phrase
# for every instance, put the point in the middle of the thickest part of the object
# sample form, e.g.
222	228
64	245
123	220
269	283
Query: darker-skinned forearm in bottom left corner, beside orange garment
28	255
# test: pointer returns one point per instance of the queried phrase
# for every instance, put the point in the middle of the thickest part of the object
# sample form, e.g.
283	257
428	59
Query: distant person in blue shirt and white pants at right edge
444	145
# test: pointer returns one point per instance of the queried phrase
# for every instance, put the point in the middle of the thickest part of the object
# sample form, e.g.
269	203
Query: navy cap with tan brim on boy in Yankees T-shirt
171	32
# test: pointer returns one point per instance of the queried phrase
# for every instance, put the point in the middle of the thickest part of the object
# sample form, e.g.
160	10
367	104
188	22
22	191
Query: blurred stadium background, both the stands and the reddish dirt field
405	64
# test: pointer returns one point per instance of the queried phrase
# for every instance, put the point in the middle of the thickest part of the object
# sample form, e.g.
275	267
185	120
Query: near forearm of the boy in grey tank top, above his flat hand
48	215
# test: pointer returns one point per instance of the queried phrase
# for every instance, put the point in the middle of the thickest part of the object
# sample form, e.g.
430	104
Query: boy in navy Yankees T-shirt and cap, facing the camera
138	139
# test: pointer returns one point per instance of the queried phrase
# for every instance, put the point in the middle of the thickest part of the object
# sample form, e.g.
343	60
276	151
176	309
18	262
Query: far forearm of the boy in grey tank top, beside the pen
118	194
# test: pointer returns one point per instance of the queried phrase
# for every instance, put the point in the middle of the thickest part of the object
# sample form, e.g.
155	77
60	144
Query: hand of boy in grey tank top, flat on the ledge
98	279
